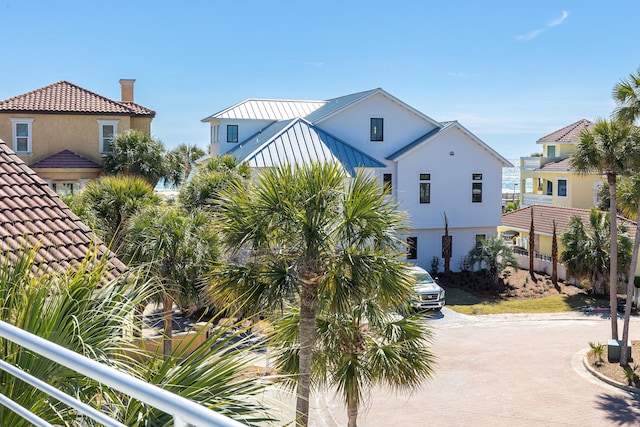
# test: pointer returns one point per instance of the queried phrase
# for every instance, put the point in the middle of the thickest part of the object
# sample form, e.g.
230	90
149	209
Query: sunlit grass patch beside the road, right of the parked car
466	303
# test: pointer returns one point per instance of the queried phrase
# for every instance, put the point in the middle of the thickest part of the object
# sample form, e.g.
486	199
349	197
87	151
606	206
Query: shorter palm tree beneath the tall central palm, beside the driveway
358	349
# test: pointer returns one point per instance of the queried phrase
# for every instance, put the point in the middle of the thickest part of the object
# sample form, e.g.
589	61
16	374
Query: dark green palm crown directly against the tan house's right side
137	153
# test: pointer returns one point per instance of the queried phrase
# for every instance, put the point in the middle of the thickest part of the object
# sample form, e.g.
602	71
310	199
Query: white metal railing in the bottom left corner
185	412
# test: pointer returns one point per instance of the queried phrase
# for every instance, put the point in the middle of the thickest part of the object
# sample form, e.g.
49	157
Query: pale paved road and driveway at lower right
503	370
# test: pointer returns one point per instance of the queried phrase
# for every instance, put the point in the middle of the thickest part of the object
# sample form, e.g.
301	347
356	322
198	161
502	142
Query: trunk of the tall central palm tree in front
307	335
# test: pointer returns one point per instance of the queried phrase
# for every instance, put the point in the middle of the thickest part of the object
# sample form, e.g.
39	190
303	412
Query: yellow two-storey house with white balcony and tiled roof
550	179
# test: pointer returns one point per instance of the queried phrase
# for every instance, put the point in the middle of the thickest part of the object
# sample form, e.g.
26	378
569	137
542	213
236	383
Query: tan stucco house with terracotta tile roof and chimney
62	130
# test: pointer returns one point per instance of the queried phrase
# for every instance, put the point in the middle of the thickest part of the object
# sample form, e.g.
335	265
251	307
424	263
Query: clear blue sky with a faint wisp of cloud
511	72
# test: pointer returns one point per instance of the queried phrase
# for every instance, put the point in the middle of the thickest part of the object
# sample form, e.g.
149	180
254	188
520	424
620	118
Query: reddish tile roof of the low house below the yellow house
543	217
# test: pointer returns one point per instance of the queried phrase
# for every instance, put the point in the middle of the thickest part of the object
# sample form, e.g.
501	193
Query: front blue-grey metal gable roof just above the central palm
297	141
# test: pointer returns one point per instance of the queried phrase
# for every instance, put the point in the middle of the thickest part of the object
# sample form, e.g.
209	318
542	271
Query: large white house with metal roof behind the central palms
432	168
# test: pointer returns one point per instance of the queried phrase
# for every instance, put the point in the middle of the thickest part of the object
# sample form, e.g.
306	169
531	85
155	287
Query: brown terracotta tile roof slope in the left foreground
31	215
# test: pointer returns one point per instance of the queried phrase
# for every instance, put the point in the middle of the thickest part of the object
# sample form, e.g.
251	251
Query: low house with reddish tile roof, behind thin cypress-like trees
516	226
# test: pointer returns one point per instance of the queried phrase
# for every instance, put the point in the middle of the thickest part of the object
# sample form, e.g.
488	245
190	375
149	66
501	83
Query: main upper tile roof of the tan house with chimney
65	97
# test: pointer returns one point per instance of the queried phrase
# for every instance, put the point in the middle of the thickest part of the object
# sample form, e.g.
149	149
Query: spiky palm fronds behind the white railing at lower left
78	310
